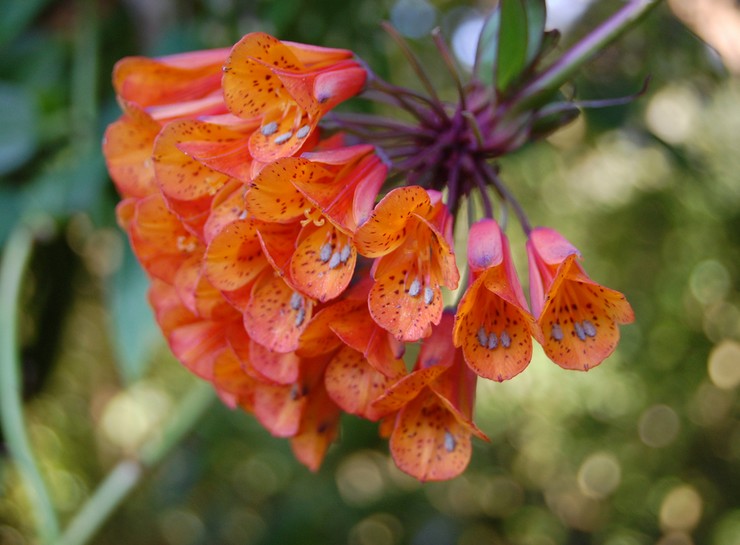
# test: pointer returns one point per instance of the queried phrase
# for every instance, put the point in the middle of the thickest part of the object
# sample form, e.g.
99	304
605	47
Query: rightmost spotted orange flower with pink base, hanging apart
578	317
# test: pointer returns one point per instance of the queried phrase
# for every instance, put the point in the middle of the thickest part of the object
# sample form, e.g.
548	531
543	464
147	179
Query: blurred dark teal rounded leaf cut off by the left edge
18	136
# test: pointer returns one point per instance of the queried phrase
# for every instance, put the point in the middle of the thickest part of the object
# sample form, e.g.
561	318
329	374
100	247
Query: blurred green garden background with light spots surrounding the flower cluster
644	449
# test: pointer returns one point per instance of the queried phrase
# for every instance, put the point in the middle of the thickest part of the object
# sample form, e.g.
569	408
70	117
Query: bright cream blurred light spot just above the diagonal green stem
132	415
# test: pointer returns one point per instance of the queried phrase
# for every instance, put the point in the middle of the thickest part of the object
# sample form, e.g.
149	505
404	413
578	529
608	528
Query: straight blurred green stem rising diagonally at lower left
128	473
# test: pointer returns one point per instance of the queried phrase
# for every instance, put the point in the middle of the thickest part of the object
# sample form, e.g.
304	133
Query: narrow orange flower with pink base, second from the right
493	325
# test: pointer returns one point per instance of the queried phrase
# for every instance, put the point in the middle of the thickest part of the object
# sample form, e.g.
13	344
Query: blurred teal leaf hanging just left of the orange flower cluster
134	330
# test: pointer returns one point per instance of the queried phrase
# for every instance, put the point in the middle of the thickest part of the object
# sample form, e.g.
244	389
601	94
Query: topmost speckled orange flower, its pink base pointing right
289	87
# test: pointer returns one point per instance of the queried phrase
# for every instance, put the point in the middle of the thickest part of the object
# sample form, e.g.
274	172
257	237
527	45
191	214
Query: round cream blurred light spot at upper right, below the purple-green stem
672	113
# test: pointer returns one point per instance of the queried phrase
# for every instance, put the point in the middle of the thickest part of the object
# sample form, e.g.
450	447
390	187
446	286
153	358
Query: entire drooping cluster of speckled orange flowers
282	275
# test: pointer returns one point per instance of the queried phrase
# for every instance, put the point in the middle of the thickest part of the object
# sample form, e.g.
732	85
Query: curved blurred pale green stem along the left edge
16	258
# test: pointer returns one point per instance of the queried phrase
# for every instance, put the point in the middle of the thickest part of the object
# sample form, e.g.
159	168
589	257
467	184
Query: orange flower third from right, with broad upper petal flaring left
410	233
